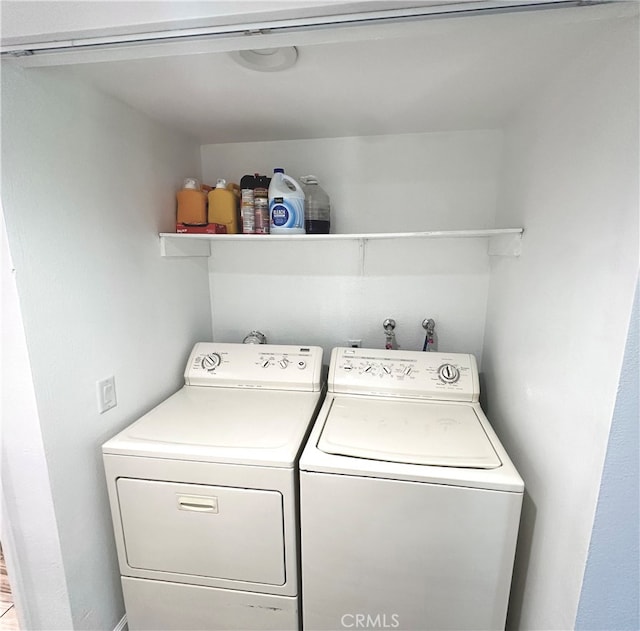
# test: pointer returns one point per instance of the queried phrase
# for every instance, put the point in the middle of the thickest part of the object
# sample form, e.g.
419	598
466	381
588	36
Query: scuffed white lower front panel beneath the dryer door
153	605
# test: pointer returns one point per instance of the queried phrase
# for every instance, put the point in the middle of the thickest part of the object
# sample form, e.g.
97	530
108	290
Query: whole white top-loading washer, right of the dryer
410	506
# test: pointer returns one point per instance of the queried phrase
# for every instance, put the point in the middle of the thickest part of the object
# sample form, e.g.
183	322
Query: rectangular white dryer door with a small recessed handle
199	530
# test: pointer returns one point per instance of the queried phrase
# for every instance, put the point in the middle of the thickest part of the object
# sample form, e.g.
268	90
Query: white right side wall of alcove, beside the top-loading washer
558	315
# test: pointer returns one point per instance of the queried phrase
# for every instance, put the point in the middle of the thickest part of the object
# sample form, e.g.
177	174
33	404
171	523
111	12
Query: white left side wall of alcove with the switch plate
87	184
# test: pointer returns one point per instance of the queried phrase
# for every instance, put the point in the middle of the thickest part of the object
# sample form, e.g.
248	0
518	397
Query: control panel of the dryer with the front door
266	366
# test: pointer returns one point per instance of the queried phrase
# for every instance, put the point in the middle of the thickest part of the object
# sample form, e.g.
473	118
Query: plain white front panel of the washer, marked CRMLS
433	556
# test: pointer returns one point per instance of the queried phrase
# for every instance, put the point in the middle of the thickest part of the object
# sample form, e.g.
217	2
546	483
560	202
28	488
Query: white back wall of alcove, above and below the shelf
327	293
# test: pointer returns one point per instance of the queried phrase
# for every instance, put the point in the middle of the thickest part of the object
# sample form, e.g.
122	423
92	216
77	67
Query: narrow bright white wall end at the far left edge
29	532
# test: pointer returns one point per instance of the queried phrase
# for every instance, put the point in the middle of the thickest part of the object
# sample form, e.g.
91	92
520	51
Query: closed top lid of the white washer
413	432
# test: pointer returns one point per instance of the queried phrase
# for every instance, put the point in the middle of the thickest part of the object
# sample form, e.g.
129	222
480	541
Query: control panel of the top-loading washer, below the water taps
398	373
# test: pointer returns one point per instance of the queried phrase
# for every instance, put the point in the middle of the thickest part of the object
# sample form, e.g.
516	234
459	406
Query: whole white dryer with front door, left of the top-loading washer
203	492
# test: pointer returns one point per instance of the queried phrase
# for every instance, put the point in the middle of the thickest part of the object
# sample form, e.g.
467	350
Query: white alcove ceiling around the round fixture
429	75
